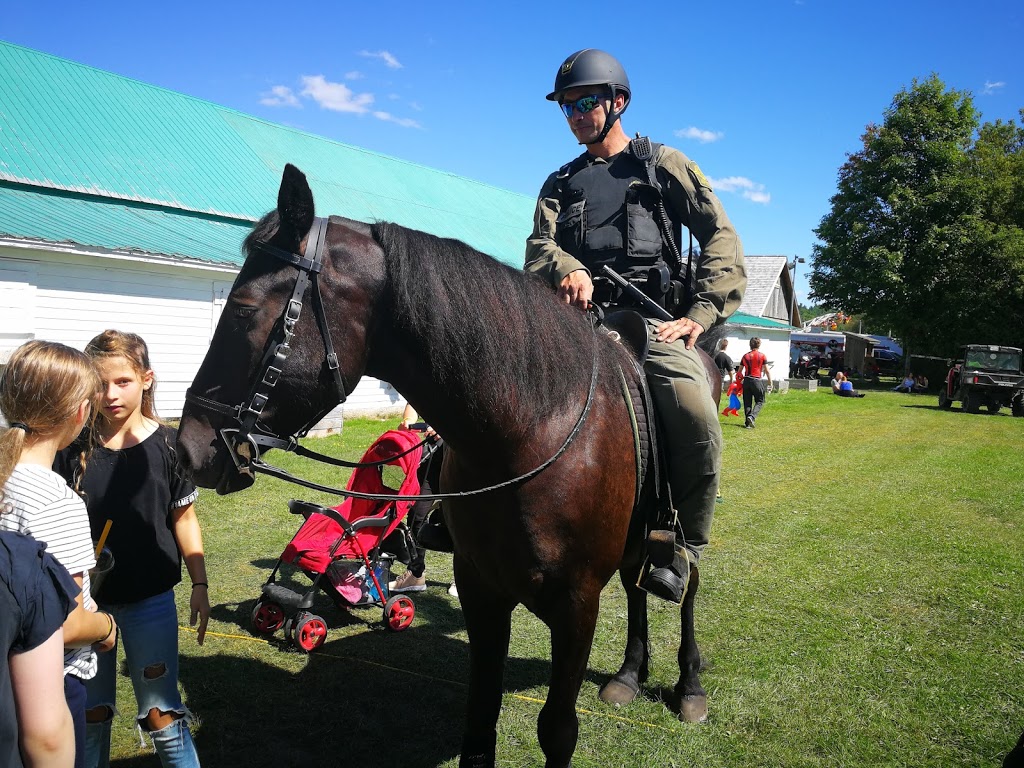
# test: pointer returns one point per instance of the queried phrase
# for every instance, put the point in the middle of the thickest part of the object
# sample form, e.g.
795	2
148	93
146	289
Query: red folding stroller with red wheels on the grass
340	550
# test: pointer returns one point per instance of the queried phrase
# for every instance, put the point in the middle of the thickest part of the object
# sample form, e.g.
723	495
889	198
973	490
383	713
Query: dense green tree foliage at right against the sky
924	234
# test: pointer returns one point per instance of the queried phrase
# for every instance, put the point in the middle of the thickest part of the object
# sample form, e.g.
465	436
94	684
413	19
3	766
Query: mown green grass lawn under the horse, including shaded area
862	605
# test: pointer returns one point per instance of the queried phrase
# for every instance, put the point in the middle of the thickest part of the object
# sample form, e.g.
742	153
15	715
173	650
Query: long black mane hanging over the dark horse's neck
492	330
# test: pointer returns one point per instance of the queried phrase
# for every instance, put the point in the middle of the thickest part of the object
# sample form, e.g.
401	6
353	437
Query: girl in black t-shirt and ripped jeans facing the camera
131	480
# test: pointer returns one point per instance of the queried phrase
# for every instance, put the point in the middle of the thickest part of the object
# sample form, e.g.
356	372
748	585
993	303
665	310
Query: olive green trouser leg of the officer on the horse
692	437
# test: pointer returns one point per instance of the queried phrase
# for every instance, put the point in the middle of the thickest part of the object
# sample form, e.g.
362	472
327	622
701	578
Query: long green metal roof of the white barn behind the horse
97	159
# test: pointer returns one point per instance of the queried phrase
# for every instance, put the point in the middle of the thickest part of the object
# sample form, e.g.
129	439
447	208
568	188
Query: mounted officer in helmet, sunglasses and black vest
623	204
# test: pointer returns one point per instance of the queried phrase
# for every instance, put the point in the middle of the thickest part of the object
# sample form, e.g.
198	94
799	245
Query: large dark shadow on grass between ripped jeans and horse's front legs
338	710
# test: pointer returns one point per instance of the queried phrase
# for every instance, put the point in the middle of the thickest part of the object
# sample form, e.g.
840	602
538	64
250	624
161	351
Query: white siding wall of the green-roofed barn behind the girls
71	297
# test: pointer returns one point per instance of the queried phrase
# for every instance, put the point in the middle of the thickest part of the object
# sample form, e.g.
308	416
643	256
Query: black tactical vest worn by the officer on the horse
608	216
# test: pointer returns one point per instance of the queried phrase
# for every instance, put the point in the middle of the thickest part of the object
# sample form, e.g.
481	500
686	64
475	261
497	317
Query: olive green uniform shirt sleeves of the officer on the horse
721	274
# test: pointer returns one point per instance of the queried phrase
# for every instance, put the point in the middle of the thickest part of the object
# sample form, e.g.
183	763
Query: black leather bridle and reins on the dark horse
278	350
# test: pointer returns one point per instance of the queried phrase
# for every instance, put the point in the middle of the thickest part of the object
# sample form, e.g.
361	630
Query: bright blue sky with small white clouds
767	97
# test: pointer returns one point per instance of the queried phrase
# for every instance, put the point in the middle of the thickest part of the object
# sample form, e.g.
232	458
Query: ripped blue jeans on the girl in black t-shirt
149	630
